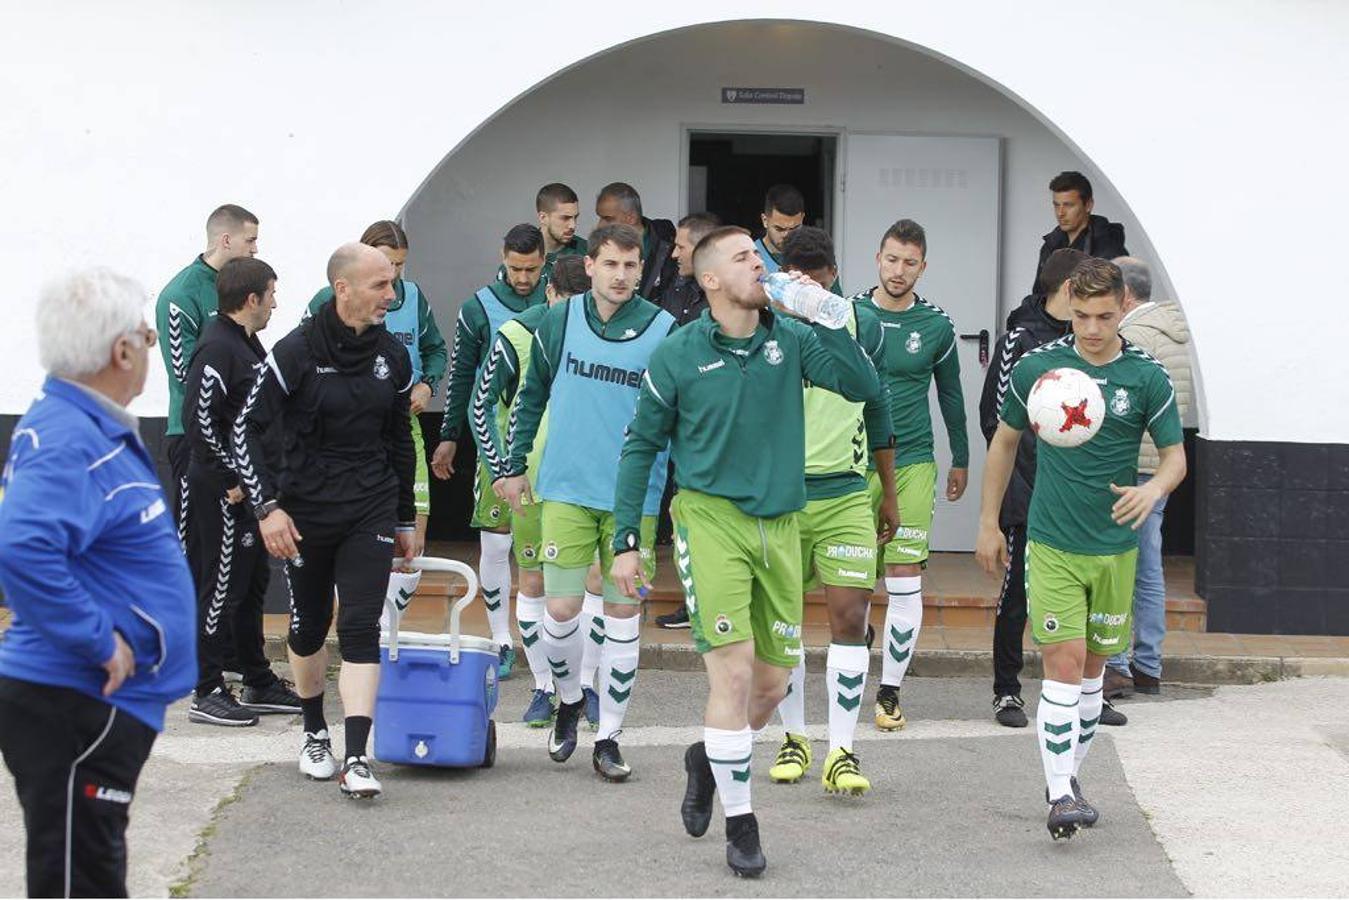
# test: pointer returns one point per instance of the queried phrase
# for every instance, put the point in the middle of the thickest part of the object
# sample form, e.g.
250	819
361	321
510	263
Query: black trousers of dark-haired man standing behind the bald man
230	569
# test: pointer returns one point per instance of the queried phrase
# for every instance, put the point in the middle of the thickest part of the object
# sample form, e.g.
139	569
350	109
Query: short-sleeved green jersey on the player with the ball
1070	507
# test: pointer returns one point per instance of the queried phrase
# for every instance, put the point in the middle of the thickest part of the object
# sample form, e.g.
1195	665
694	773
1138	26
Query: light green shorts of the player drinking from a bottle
741	577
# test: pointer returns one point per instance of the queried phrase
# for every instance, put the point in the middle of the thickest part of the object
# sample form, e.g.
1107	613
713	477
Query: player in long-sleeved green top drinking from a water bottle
726	392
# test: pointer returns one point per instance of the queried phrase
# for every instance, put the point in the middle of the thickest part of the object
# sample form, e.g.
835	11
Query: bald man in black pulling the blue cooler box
342	503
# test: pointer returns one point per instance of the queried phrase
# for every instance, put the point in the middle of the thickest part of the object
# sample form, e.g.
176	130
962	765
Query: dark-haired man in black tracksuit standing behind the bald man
227	559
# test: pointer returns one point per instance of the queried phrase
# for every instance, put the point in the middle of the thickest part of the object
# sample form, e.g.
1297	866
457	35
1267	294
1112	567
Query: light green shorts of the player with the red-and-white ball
1072	596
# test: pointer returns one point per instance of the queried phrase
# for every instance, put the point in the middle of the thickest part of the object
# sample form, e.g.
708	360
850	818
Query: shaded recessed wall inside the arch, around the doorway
620	118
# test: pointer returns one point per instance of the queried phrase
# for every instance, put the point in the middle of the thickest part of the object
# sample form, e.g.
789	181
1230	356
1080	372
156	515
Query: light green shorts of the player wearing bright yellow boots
838	542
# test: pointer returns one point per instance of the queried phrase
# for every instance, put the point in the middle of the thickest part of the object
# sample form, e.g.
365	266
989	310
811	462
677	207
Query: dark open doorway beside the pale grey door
729	173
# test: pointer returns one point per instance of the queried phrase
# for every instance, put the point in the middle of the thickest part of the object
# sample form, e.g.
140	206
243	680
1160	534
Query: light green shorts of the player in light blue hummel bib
573	538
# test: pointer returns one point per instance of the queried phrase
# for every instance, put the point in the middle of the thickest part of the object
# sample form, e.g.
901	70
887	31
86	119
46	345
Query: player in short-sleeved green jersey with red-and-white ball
1083	532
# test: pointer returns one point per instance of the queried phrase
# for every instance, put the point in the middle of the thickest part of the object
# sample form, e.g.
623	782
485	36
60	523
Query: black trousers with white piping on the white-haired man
76	763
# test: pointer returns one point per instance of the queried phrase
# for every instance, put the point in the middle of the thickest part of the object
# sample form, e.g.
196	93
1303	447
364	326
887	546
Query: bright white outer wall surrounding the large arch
126	123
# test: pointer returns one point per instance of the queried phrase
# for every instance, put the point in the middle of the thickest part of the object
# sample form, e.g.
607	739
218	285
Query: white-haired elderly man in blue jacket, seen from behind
103	636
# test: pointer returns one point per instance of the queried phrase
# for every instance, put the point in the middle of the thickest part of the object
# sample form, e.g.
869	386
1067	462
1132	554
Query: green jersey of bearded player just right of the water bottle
921	350
